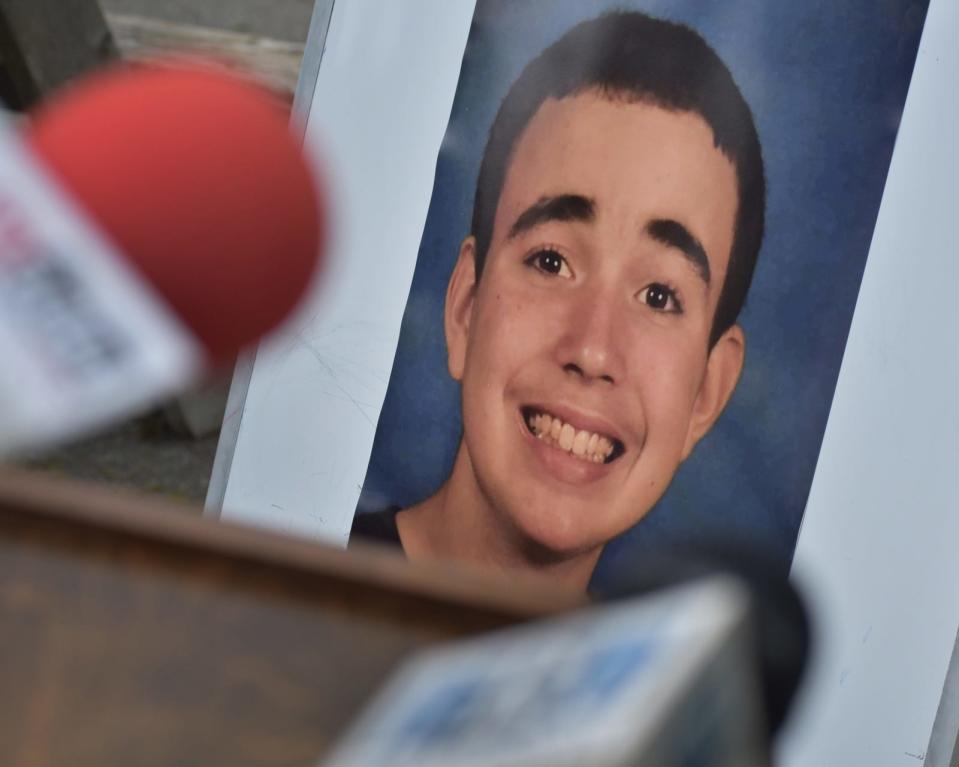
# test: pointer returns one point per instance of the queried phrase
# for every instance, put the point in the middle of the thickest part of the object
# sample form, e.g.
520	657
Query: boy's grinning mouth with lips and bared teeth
585	438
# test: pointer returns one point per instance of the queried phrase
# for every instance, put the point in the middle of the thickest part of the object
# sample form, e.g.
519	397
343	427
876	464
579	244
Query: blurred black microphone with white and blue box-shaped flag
693	662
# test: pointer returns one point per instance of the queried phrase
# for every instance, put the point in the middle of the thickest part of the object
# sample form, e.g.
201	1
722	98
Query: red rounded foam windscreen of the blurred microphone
198	181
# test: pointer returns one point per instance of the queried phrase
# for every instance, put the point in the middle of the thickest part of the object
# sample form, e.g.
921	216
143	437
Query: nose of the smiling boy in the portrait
589	347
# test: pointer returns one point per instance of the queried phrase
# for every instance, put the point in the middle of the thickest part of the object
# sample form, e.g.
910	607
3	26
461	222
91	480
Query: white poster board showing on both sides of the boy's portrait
878	535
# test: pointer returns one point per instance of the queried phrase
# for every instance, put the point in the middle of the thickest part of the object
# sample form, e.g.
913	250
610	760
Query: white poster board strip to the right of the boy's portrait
877	548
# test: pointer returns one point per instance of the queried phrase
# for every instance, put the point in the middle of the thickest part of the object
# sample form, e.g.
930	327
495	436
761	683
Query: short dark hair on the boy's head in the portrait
634	56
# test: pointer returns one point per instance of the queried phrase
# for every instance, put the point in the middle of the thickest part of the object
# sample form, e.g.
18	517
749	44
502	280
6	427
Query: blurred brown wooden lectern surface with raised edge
136	634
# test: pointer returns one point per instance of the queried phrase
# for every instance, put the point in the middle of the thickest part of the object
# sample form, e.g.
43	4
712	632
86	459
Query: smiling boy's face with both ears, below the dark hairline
609	251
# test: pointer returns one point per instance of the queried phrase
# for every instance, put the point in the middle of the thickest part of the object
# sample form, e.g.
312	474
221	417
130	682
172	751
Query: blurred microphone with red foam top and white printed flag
153	222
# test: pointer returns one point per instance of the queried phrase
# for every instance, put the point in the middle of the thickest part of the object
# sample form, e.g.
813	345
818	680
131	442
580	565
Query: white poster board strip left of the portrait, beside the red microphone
378	129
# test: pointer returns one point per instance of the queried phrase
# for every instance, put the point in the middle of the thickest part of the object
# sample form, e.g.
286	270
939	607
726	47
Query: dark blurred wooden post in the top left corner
45	43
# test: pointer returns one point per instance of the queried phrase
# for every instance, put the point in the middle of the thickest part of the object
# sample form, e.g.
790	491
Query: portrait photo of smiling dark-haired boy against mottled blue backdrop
580	376
